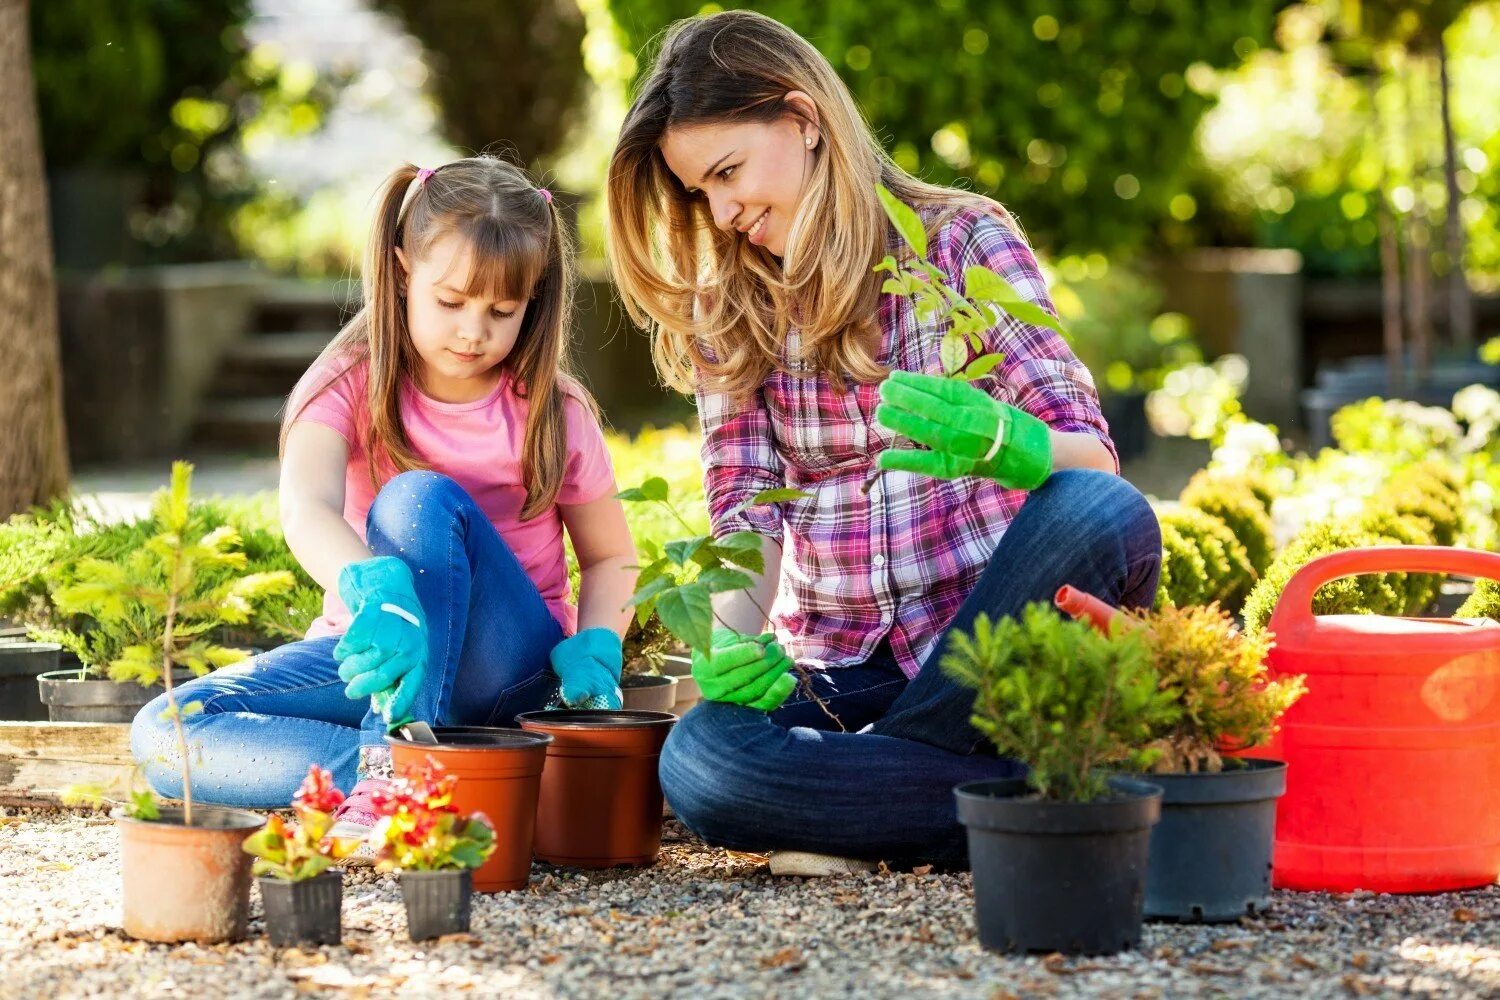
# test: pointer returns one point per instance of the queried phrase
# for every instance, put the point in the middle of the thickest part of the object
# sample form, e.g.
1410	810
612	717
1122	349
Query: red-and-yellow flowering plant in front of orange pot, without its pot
421	830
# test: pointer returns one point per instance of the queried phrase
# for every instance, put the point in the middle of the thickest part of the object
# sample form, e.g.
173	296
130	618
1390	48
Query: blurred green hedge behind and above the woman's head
1078	115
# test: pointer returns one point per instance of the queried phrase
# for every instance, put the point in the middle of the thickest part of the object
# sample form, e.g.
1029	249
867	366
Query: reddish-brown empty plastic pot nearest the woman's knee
601	803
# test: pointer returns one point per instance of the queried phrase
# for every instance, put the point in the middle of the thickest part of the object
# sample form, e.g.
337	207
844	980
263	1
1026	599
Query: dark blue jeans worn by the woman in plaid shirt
884	789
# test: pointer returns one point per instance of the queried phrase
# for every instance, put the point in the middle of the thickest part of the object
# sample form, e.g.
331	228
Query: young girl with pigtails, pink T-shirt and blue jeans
431	460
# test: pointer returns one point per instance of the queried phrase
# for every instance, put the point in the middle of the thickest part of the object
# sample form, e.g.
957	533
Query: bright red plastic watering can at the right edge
1394	753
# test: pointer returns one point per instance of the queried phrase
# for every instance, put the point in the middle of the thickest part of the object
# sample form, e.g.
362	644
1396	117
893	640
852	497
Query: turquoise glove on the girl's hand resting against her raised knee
386	645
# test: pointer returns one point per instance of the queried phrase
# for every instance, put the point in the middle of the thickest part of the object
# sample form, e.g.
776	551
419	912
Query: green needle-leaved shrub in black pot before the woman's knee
1060	857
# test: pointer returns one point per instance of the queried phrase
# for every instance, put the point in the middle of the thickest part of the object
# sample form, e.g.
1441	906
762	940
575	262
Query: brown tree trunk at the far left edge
34	449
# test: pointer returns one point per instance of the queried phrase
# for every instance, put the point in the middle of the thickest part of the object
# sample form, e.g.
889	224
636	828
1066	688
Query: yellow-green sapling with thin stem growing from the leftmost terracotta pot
163	581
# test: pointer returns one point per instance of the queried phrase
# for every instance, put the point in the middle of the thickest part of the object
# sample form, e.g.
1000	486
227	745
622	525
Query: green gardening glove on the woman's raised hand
970	433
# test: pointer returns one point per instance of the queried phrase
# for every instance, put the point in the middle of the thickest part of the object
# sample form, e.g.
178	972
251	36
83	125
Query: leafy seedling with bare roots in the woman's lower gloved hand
679	579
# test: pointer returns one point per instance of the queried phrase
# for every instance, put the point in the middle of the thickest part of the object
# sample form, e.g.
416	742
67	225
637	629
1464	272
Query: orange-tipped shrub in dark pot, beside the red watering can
1211	852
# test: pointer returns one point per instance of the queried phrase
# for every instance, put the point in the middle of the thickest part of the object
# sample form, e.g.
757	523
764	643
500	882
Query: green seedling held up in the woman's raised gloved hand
964	319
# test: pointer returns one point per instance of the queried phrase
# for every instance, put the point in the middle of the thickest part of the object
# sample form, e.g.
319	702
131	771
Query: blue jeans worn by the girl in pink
266	720
